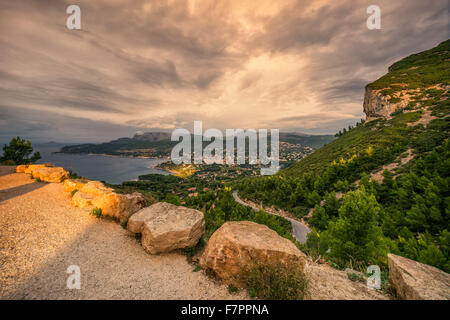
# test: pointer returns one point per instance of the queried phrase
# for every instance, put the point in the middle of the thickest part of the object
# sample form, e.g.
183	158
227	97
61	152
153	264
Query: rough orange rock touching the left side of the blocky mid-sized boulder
119	206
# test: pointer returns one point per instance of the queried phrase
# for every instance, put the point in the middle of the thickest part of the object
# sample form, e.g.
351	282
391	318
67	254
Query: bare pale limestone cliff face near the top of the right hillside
377	105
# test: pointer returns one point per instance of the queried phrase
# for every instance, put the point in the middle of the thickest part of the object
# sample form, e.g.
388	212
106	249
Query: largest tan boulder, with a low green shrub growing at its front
238	244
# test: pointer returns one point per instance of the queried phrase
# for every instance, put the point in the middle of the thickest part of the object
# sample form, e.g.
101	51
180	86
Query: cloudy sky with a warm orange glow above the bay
139	66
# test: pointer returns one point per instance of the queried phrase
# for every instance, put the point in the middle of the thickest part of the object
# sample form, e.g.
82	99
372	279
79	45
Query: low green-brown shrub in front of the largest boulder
275	281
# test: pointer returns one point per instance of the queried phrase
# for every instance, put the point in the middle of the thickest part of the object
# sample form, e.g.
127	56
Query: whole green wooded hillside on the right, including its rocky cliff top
382	186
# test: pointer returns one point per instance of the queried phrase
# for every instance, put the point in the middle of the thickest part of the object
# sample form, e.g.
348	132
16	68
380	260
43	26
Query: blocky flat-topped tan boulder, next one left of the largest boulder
166	227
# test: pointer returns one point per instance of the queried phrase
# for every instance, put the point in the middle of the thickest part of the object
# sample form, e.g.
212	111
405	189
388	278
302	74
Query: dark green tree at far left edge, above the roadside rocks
19	151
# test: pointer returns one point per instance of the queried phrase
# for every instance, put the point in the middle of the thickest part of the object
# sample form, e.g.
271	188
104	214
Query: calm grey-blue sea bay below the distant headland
112	169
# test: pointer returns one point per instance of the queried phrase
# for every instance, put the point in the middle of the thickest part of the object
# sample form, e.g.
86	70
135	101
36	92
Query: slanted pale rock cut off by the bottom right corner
417	281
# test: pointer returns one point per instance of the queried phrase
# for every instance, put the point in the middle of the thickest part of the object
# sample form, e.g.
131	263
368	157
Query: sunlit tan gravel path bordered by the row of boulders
41	235
